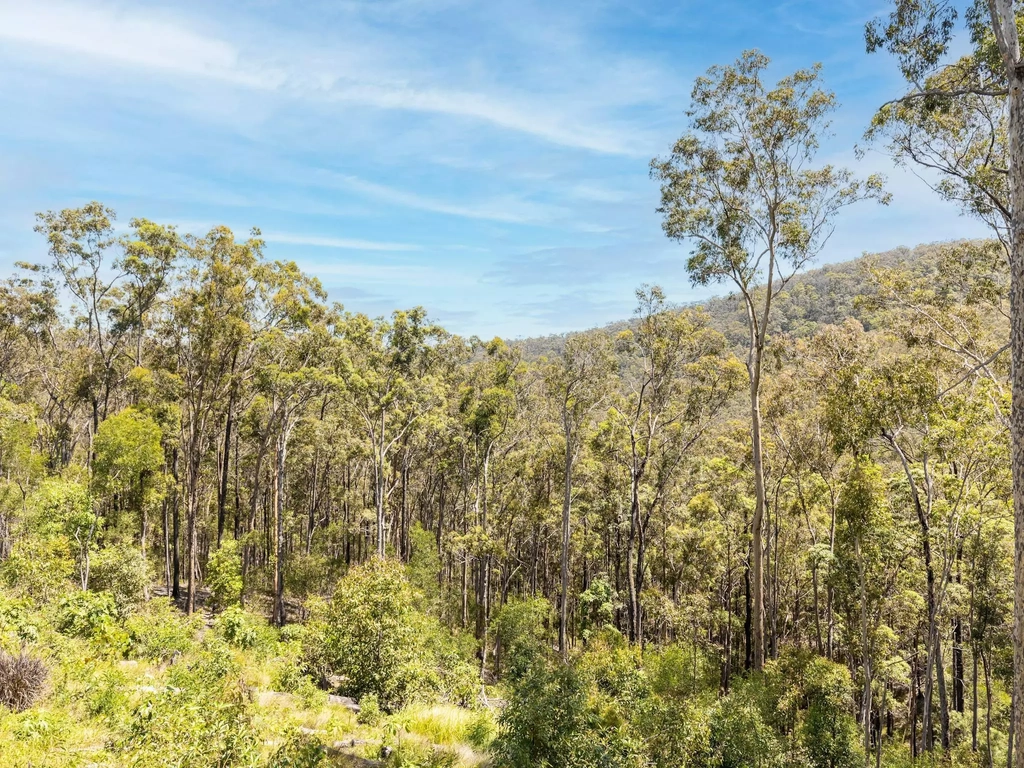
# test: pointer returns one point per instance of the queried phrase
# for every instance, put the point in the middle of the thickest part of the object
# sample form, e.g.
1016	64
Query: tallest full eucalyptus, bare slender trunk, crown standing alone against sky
741	188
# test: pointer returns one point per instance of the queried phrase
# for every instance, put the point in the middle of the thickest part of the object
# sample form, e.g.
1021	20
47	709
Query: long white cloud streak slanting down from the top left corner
163	44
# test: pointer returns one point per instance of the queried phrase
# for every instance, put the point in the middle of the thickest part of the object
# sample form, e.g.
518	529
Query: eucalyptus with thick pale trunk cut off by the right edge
963	117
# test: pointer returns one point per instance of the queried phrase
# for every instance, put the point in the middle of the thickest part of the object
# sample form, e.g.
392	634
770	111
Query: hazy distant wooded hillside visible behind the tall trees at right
819	297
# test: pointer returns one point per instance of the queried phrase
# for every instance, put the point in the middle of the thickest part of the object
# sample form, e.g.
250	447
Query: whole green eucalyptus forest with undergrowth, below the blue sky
242	526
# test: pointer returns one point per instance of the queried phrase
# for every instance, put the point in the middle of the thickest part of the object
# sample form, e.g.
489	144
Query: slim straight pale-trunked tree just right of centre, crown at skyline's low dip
578	381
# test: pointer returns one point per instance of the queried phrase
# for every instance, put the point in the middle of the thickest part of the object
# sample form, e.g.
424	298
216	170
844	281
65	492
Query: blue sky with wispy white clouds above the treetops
485	159
